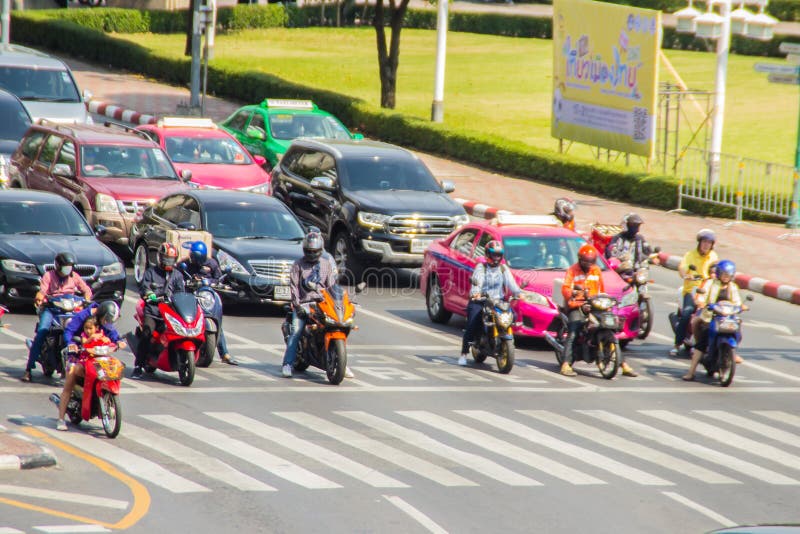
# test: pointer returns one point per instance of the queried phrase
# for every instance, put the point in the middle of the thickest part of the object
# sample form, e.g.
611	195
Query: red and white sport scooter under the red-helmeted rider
176	346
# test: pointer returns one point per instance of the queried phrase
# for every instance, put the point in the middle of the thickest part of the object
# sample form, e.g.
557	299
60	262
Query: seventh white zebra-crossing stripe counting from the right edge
483	440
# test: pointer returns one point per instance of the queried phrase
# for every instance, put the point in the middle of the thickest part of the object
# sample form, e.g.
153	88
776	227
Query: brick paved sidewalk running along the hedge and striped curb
755	247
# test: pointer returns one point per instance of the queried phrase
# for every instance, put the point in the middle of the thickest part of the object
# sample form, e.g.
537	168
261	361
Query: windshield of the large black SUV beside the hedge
389	174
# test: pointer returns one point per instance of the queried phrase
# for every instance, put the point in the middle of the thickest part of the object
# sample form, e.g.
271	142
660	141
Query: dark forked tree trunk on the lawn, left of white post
389	59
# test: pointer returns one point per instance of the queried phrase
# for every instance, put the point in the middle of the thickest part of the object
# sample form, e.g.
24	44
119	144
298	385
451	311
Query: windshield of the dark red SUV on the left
126	162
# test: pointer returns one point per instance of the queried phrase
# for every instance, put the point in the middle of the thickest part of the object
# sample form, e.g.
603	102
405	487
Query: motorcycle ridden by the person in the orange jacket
596	342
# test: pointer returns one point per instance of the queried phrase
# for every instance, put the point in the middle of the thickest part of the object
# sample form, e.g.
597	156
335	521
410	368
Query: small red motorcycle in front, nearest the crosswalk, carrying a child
97	393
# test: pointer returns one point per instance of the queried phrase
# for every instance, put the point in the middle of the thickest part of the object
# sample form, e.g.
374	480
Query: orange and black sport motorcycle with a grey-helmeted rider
324	340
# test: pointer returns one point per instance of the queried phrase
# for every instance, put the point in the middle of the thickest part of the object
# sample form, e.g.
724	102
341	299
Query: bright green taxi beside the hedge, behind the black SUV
267	129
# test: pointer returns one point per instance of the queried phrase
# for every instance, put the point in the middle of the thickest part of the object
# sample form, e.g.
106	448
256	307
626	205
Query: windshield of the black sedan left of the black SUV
246	220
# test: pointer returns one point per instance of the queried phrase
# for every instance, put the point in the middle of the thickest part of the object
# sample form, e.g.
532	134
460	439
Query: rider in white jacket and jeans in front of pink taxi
492	279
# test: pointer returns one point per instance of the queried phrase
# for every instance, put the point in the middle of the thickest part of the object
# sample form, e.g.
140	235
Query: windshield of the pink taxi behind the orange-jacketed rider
543	253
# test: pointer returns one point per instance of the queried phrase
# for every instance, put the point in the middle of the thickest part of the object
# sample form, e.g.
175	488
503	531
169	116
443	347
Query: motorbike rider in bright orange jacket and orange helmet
582	281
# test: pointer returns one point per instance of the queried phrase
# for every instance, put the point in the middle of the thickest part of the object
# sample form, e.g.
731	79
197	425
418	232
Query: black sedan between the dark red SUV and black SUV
256	236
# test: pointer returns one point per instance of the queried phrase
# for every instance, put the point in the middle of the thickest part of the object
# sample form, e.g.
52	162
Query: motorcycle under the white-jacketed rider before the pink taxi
495	338
